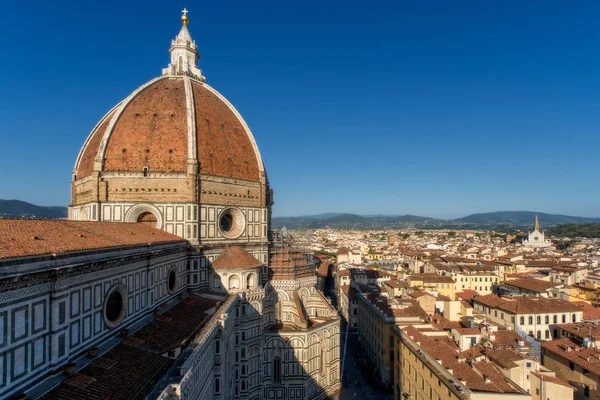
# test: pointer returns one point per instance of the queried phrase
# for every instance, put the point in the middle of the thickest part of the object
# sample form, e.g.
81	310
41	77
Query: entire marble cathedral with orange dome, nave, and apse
211	305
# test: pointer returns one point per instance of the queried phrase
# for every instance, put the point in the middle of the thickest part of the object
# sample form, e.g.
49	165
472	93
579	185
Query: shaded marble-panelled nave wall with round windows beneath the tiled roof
79	306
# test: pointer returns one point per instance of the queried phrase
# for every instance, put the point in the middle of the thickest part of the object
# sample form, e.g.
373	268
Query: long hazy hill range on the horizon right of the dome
500	220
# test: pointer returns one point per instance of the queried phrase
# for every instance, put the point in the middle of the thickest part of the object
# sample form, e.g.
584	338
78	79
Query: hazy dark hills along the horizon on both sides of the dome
499	220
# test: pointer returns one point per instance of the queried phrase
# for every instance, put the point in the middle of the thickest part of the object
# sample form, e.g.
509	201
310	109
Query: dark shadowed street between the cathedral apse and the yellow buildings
355	382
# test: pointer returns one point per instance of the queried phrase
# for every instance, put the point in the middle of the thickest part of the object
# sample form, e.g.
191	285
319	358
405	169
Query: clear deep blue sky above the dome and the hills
431	108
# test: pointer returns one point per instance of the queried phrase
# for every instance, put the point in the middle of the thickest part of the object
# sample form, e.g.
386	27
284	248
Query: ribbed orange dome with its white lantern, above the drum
175	123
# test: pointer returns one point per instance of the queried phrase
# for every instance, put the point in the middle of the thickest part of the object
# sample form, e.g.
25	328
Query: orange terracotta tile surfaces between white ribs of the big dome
152	131
